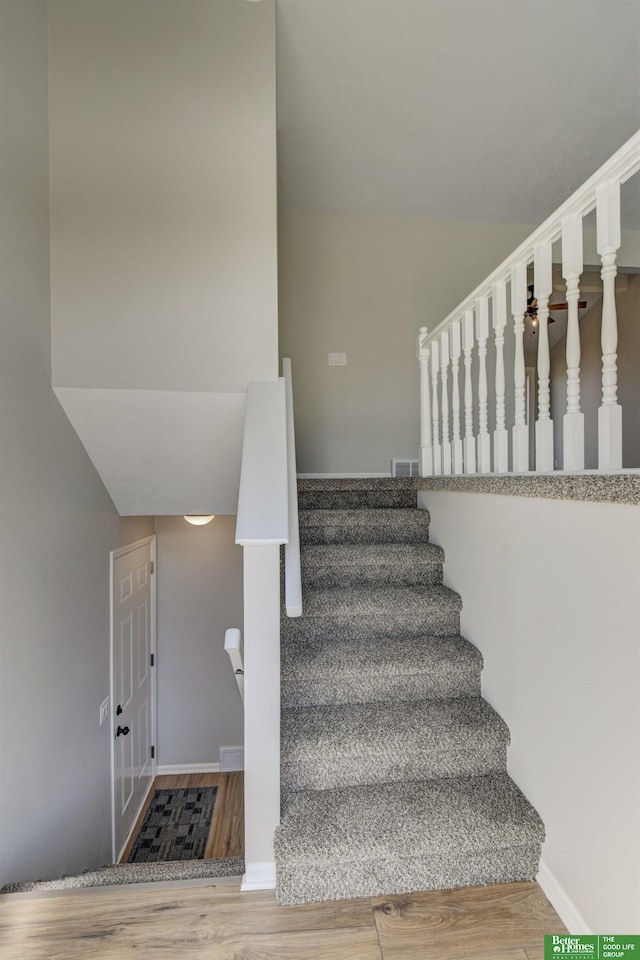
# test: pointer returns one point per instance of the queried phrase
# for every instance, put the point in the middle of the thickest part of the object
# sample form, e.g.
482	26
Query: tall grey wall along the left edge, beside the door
57	522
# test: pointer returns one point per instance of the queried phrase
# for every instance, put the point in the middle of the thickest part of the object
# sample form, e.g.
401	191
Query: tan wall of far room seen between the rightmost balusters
628	310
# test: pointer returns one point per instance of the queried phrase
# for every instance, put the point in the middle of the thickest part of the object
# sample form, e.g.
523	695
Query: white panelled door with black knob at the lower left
132	684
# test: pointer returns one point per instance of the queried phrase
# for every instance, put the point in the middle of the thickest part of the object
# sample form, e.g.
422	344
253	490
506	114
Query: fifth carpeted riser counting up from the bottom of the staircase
334	574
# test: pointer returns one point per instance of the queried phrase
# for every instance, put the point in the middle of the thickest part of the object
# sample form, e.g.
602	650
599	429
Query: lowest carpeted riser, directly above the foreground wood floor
313	881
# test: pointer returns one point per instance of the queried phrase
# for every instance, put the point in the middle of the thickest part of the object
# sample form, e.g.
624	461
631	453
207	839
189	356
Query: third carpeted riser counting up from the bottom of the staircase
317	691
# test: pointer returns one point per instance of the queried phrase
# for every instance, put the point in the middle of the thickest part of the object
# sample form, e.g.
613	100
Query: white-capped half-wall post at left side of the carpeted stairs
262	526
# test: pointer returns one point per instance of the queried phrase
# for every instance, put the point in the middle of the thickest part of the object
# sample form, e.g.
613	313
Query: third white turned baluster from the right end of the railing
543	285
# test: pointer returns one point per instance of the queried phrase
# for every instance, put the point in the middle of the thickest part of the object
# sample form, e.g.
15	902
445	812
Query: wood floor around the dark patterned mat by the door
226	834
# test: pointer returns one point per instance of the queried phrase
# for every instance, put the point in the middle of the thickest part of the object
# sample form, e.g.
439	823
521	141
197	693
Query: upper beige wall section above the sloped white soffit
163	200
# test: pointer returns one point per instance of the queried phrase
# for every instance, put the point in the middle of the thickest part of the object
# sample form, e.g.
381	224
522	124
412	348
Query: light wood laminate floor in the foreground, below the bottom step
209	922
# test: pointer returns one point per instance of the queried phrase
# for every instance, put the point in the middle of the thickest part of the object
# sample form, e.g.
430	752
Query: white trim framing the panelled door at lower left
113	556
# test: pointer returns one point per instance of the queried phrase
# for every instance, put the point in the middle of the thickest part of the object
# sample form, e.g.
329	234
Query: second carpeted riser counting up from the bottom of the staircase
452	760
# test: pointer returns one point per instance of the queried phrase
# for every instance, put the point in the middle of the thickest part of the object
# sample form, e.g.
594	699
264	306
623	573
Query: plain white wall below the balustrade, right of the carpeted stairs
551	598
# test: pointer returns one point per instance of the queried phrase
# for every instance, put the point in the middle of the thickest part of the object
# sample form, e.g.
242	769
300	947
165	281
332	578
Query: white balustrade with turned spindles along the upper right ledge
486	307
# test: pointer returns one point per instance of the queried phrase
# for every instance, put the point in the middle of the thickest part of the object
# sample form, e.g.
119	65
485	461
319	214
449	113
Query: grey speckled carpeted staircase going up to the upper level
393	766
